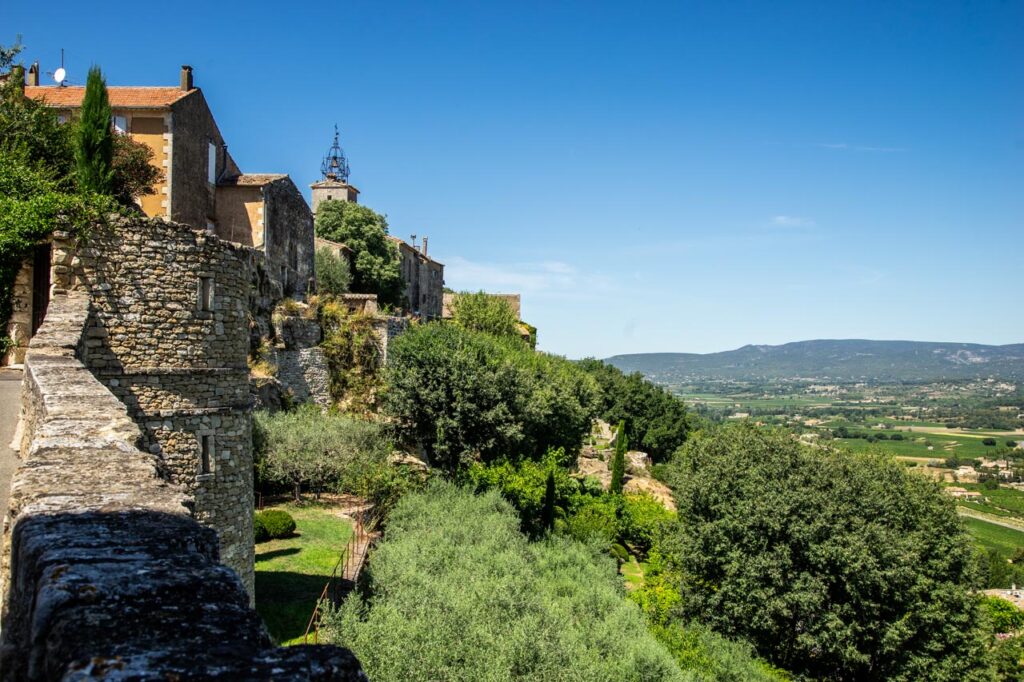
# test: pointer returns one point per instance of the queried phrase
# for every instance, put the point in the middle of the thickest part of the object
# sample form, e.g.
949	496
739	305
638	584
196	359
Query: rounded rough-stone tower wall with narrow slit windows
168	334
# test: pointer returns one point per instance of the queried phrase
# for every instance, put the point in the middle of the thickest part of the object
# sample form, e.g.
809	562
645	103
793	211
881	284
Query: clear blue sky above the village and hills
650	177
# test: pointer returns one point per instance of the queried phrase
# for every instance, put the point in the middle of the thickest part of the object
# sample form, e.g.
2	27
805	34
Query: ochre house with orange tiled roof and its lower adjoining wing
202	185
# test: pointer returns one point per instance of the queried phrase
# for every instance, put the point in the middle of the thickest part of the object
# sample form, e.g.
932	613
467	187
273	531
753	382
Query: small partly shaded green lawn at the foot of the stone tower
291	573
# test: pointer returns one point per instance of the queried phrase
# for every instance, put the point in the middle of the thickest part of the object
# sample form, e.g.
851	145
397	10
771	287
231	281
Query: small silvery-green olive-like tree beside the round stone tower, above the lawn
307	448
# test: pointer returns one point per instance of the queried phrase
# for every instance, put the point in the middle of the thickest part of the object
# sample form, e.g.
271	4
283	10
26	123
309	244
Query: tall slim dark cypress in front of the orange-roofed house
95	140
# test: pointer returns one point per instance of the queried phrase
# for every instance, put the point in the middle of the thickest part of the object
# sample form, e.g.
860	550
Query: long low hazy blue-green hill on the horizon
850	360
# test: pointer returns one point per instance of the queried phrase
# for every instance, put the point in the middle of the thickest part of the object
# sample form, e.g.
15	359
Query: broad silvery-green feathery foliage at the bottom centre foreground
456	592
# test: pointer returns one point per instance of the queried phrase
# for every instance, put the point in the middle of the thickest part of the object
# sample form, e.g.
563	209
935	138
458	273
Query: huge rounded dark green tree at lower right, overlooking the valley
834	566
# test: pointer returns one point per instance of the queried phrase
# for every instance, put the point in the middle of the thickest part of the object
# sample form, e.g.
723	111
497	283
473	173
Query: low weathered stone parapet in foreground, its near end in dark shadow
105	574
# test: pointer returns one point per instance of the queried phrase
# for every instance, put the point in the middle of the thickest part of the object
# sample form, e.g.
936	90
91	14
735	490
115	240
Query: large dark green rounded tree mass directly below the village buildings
464	396
